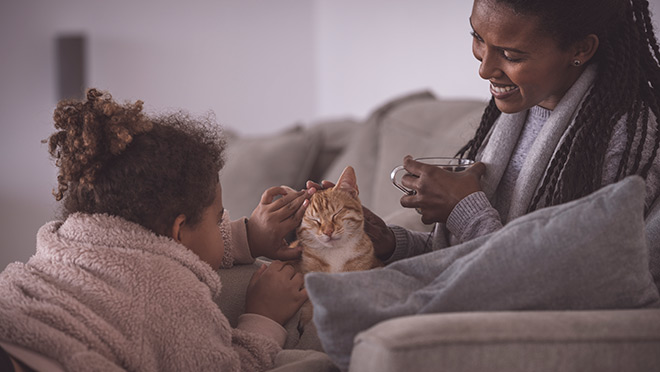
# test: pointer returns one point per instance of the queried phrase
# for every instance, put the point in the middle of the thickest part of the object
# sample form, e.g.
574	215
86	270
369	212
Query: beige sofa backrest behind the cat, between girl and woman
418	124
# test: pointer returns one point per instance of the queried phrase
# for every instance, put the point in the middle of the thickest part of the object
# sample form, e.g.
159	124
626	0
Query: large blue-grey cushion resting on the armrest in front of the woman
587	254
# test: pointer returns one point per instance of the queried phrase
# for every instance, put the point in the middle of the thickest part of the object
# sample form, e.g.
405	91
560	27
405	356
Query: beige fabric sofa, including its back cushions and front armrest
420	124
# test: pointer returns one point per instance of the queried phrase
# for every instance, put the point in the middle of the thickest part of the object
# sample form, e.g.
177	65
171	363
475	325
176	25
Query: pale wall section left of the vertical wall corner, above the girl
251	62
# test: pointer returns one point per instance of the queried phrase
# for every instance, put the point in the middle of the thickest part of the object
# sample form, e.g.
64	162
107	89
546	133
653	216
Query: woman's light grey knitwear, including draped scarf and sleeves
517	153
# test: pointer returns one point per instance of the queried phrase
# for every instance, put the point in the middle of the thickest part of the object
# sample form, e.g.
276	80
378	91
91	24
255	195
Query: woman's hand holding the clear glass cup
438	190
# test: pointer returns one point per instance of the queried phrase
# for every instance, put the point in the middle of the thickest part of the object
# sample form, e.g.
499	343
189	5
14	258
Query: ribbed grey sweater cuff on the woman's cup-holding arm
473	217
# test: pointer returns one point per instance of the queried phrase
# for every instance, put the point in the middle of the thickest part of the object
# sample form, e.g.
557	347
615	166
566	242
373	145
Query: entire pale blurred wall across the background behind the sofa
260	66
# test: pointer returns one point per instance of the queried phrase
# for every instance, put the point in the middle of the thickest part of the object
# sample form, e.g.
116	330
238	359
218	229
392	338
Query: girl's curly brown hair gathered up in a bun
114	159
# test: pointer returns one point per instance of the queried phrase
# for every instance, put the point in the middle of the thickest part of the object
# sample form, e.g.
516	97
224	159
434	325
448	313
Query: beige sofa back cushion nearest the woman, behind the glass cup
417	124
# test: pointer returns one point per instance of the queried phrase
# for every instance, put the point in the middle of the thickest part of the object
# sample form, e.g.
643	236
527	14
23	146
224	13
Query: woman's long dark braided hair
625	89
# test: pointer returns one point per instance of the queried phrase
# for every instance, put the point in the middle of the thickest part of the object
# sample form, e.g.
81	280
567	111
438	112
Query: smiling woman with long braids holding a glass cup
574	107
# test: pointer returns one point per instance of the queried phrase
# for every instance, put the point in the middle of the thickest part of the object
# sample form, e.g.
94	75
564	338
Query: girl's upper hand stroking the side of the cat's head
273	219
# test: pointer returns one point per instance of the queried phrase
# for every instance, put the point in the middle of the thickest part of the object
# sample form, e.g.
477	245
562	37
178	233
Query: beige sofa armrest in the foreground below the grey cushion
606	340
